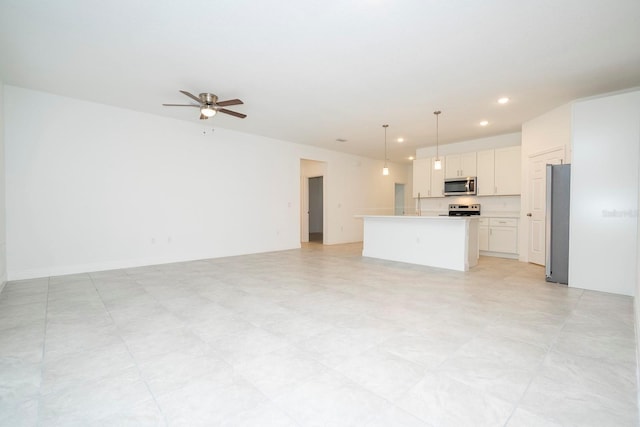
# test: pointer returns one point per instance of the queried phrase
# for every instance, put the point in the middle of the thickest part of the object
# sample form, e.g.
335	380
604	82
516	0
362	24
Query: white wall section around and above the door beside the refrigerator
549	131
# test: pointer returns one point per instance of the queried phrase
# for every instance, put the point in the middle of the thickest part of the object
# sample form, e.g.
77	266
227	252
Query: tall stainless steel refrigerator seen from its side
557	222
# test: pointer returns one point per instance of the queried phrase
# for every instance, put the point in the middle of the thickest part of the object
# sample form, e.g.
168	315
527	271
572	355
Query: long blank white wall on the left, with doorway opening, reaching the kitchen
93	187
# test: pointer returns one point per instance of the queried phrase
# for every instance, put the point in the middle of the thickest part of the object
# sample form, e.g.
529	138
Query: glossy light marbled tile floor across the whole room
314	337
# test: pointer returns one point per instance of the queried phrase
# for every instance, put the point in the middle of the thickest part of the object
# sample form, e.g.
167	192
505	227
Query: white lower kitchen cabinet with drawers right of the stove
498	236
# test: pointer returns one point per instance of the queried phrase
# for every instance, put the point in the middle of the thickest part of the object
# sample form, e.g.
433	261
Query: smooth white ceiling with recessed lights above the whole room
315	71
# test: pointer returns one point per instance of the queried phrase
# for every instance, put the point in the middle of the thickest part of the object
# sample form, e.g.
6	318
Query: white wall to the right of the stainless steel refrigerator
604	193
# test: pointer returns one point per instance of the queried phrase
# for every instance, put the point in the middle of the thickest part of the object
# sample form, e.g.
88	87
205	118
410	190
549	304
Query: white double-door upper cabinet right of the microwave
498	172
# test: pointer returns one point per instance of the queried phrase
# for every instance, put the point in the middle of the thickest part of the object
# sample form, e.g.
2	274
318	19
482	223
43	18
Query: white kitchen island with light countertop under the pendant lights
434	241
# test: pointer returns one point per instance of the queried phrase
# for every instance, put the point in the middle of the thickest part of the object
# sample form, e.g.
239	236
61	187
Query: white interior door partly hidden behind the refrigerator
537	202
